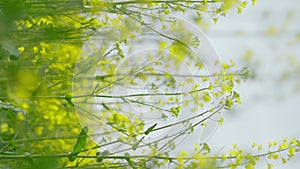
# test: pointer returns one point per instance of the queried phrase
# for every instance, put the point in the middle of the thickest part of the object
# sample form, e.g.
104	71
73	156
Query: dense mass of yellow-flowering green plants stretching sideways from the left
40	44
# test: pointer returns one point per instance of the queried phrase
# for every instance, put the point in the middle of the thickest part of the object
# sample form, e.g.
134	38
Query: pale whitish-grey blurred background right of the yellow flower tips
265	38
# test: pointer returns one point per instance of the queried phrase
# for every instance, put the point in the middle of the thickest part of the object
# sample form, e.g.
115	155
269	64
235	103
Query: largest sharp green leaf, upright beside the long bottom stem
81	141
